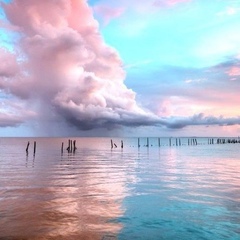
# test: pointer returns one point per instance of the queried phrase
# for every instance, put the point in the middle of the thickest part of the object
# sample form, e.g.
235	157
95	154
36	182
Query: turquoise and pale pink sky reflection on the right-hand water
184	193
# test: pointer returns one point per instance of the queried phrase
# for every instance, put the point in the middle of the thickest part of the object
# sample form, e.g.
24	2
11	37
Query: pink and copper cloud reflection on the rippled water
73	196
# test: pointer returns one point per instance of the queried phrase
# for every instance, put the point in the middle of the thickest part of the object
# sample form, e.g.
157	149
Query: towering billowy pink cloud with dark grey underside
67	67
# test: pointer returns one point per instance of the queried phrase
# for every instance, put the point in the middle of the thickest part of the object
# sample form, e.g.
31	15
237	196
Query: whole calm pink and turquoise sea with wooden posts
120	188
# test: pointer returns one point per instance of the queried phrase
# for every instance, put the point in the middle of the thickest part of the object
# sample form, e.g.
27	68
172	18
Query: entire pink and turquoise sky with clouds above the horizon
119	68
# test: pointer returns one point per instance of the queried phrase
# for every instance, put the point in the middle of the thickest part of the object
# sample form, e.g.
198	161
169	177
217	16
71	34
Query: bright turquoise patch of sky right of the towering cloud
189	34
